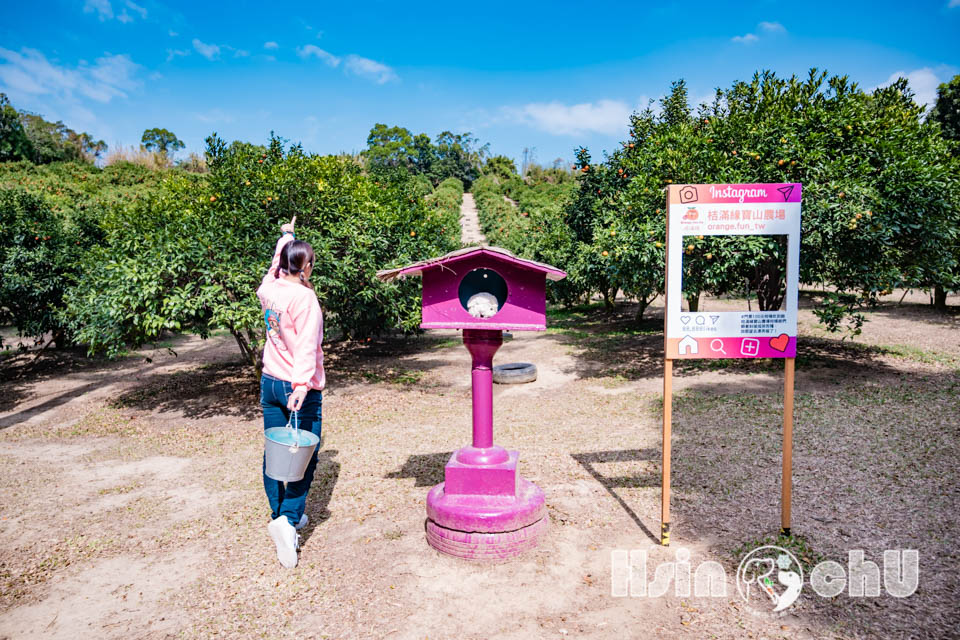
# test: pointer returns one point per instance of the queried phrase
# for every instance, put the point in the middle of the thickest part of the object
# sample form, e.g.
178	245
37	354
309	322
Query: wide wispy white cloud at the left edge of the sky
28	74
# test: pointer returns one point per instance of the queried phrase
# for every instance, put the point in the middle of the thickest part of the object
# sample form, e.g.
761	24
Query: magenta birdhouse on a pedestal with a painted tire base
484	508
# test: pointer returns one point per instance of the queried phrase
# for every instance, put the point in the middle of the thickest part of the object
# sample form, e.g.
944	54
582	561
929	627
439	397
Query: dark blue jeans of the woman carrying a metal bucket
289	500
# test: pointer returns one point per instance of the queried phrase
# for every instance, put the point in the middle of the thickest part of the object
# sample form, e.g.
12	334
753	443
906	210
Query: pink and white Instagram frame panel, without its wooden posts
729	210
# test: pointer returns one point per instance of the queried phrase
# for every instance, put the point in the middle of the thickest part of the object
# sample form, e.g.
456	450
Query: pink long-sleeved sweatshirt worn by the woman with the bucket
294	325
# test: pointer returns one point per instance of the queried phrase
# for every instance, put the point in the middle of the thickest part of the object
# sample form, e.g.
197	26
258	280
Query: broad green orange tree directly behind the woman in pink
190	258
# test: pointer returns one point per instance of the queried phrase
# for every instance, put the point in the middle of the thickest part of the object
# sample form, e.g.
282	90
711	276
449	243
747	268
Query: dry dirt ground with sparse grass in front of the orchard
131	503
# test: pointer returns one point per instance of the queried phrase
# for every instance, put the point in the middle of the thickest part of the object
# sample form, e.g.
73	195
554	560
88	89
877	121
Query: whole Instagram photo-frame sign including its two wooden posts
696	210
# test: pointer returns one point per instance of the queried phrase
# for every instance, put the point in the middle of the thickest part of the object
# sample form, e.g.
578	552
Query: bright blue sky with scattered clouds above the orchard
549	76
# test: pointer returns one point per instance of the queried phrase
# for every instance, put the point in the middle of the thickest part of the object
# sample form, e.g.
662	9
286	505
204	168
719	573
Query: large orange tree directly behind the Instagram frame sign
880	193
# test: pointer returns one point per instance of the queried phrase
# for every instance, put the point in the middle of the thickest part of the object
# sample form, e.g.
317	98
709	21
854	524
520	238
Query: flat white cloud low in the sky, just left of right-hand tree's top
610	117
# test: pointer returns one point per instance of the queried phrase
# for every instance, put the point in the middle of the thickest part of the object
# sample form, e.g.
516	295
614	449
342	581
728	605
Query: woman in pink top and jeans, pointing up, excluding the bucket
292	378
